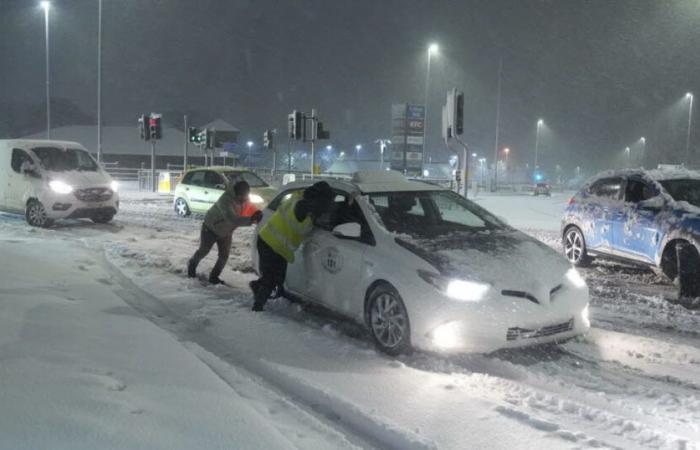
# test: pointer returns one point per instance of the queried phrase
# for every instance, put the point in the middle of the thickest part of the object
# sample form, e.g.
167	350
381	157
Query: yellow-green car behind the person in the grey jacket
200	188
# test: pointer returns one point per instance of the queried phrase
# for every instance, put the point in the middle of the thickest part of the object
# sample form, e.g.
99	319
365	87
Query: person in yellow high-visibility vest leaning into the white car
279	238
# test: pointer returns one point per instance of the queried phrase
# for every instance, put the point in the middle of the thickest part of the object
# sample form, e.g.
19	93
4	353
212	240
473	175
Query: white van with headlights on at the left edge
48	180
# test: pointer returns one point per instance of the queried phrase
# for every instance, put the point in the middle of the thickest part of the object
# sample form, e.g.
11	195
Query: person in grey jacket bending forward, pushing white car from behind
232	210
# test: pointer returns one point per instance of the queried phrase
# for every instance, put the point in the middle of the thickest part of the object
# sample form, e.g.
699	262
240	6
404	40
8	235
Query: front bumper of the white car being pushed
499	322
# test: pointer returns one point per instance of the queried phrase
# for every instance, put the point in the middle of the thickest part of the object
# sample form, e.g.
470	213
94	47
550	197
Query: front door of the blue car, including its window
635	228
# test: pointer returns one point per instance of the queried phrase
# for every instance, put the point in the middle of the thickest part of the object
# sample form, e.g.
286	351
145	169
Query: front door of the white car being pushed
334	265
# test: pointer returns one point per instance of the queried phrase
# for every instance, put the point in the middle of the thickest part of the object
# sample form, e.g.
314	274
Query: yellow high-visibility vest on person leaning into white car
283	232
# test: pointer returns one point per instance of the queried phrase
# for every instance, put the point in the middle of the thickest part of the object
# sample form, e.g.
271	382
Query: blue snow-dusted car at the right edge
648	217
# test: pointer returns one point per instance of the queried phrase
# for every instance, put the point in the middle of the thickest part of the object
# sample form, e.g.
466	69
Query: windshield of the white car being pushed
428	214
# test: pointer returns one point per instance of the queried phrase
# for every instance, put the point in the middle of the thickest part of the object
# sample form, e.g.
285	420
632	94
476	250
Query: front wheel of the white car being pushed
388	321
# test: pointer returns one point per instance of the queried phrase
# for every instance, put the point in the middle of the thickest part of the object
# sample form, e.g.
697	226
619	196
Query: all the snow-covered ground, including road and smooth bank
105	343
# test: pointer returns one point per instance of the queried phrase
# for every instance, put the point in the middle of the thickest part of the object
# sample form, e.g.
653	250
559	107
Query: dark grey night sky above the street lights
600	73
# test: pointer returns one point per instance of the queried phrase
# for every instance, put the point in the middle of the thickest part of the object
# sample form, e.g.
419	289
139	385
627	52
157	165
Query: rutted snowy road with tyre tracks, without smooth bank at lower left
633	382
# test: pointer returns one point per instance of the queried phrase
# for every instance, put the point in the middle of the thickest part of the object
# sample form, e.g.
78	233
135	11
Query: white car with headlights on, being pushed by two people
422	267
